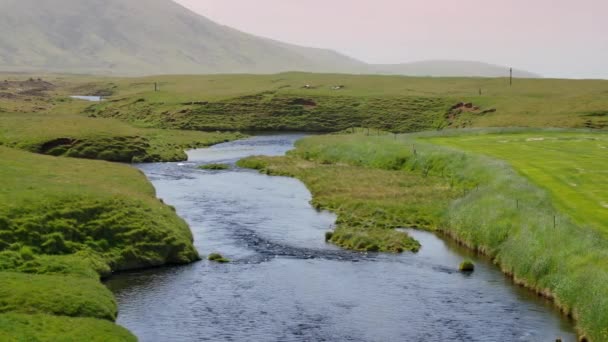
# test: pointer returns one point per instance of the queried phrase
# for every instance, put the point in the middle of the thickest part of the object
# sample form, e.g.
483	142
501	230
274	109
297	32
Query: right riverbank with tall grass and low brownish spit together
482	202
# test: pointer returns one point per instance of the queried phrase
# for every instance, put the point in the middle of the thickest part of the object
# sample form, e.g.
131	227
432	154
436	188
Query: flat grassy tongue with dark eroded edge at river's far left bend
106	139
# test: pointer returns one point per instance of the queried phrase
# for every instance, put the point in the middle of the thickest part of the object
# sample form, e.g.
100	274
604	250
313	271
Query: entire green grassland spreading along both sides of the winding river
535	202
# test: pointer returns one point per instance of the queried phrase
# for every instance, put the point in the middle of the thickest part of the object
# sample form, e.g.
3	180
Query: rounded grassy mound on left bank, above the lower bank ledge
62	206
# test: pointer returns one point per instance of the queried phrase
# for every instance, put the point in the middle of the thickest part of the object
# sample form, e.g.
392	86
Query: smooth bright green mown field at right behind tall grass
572	167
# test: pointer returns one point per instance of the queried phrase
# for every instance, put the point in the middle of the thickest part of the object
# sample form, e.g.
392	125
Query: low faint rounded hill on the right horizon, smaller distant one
450	69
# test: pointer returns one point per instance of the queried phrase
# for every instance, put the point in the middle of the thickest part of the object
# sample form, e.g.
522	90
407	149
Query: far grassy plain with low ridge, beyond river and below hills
400	104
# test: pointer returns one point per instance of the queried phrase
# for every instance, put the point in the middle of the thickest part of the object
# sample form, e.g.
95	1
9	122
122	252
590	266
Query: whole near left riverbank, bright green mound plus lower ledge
66	222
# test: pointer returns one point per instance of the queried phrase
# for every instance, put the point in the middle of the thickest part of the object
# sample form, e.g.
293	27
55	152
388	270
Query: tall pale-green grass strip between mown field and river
489	207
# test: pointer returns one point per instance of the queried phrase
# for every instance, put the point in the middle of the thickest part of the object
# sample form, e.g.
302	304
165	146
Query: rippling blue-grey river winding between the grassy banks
286	284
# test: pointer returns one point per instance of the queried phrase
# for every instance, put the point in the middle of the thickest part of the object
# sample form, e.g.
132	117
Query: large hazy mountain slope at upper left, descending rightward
135	37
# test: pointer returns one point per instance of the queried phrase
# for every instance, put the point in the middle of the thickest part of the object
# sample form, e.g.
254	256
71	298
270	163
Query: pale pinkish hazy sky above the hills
556	38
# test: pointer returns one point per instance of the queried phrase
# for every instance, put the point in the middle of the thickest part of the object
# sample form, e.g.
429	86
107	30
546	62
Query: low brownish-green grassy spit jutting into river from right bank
370	202
